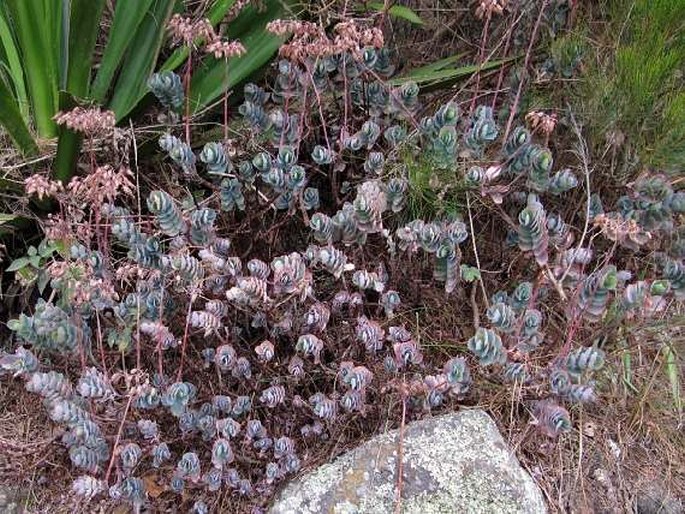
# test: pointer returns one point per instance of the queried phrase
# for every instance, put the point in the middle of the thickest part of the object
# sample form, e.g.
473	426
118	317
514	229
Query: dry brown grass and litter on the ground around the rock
619	449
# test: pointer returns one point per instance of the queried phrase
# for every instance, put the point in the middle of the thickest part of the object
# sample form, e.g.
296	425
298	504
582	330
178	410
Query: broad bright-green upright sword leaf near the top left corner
37	27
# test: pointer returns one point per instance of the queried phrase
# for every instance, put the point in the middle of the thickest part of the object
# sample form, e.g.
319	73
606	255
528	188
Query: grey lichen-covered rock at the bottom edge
452	463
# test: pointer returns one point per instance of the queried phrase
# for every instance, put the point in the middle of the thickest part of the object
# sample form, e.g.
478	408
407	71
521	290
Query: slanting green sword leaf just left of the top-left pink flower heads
140	59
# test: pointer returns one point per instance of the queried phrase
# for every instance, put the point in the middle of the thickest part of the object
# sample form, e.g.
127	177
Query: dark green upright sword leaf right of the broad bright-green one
84	25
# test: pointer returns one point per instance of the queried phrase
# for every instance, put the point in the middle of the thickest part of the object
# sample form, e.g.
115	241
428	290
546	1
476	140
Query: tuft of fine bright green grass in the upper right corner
634	91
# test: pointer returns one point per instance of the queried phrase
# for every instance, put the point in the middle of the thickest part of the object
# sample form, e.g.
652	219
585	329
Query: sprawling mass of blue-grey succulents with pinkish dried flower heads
207	331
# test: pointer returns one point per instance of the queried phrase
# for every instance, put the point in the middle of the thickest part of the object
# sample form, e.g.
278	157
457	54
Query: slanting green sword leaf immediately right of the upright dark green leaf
128	15
